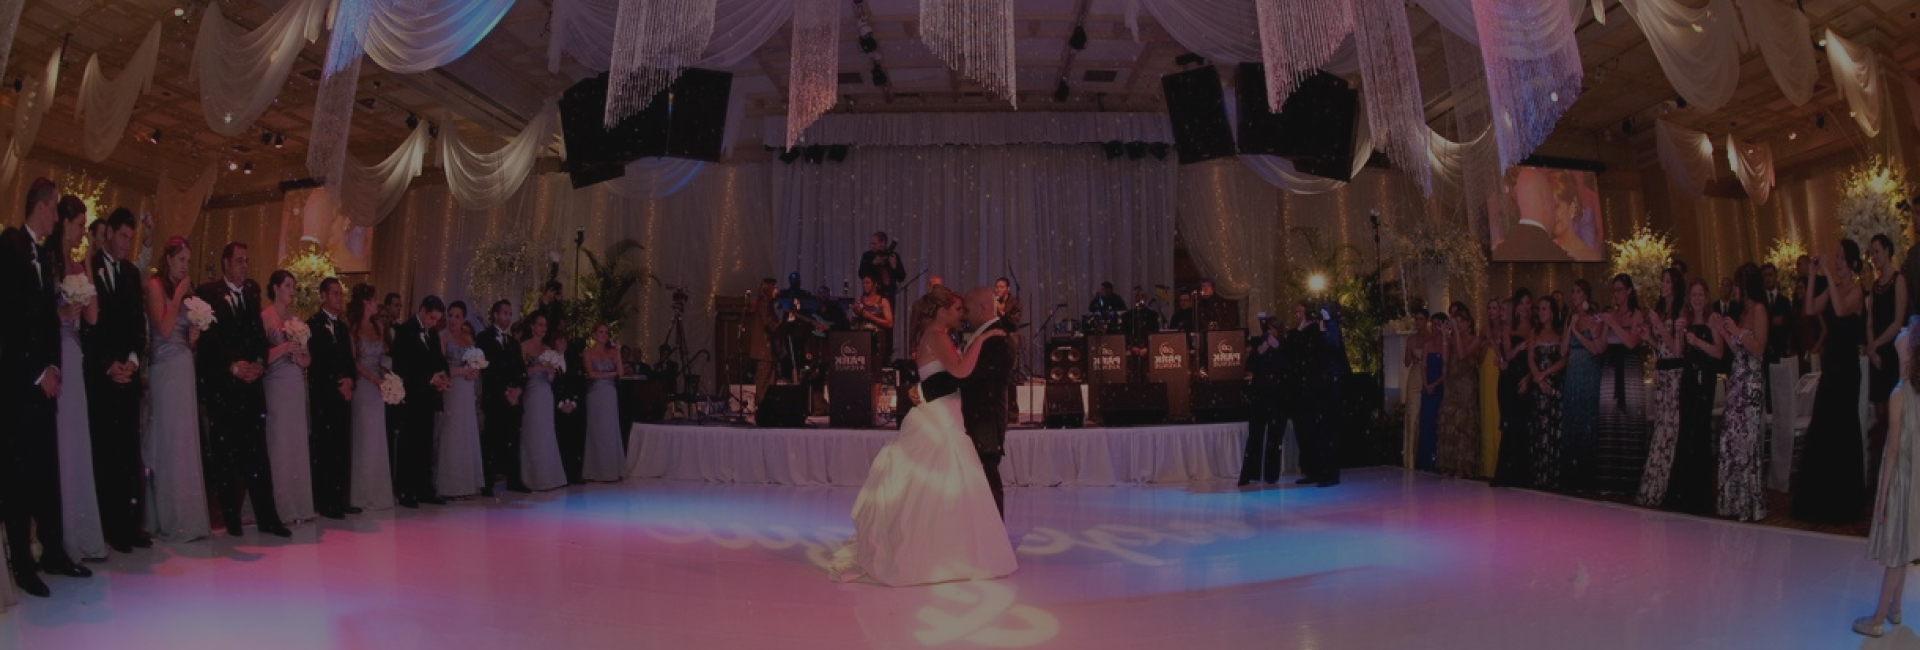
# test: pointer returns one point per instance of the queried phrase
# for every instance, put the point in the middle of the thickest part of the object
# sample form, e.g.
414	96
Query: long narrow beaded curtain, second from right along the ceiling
1391	83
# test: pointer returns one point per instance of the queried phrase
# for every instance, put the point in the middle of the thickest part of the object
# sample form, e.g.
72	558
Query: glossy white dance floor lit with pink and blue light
1383	561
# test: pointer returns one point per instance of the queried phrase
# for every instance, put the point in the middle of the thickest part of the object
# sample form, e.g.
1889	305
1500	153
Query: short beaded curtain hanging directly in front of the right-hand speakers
1297	37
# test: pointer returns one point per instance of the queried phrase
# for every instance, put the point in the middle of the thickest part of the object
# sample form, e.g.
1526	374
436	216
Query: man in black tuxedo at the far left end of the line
30	369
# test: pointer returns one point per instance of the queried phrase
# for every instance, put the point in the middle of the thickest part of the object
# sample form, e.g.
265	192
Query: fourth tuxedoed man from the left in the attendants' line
329	400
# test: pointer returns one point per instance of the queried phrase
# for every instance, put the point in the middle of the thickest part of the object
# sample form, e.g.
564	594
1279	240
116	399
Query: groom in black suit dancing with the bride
984	394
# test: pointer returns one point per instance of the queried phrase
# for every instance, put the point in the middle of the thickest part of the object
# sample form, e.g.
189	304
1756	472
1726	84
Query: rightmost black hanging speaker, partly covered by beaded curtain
1314	129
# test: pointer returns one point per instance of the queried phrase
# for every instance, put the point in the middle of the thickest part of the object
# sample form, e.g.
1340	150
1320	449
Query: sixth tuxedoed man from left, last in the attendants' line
500	400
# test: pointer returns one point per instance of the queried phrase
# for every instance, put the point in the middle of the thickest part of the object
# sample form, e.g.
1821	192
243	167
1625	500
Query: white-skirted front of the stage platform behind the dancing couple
731	453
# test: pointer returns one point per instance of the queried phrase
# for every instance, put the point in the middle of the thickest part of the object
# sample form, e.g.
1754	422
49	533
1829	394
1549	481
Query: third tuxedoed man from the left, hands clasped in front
231	361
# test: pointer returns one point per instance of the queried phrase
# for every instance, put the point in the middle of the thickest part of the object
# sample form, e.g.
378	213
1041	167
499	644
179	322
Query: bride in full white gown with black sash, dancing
926	515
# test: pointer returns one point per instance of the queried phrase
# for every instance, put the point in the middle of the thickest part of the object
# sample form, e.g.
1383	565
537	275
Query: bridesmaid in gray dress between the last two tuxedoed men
458	469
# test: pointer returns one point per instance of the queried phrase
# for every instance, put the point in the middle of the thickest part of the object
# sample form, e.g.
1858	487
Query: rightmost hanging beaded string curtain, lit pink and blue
1533	70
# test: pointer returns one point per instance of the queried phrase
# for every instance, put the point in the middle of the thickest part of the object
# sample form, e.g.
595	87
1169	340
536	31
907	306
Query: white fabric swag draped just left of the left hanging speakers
485	179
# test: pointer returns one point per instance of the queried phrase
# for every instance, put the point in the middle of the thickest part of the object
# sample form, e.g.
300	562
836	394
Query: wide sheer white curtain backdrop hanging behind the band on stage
1055	220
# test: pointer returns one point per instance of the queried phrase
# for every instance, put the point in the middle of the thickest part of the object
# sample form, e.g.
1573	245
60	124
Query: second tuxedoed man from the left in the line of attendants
114	348
